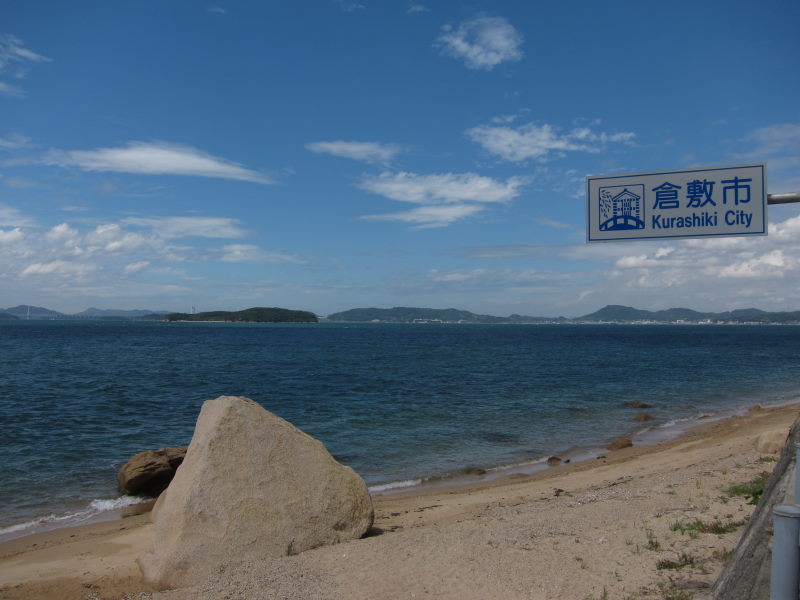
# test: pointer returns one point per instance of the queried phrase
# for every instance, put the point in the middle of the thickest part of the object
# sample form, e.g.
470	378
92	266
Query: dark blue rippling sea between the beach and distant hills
395	402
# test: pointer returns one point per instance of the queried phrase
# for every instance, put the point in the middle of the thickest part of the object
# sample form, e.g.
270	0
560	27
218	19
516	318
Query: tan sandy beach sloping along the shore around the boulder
619	526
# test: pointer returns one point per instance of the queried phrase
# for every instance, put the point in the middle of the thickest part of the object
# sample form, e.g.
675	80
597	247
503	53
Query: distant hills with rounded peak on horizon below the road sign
617	313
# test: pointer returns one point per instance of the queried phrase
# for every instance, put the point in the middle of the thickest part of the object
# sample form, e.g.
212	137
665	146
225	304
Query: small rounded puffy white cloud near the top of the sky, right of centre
483	42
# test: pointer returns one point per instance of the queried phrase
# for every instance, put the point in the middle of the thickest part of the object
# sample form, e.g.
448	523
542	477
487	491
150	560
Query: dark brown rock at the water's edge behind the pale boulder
149	473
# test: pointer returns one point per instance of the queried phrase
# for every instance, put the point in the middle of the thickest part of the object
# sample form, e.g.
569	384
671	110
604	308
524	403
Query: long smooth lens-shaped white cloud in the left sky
155	158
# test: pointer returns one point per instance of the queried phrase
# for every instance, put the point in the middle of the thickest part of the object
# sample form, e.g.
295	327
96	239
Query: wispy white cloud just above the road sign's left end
538	141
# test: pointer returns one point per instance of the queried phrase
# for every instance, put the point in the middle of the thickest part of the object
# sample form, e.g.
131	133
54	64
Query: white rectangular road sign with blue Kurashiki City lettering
689	203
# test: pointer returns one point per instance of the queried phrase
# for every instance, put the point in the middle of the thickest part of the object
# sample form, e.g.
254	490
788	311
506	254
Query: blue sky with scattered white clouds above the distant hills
326	155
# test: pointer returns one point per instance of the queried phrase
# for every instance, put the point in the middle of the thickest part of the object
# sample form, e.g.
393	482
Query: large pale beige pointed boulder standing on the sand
252	486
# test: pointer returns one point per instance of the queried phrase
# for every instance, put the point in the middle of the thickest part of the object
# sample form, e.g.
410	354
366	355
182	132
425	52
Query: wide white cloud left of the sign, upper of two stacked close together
442	188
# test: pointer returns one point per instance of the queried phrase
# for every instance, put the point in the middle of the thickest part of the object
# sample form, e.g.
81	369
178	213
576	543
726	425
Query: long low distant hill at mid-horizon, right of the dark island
405	314
